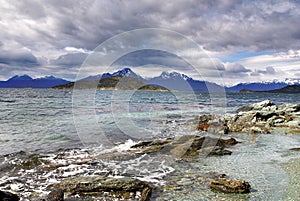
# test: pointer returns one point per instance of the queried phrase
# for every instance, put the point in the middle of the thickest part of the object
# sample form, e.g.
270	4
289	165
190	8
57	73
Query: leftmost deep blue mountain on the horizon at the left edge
25	81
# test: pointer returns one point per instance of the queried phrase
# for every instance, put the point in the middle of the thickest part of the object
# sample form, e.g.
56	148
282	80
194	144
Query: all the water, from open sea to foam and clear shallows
44	121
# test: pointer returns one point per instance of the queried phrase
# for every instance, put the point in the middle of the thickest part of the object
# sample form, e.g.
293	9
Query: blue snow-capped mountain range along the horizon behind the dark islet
172	81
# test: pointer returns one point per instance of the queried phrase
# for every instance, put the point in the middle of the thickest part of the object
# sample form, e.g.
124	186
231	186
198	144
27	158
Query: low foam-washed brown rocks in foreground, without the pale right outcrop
106	185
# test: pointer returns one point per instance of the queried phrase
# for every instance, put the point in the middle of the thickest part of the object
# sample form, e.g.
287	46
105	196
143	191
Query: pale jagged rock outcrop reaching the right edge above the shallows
262	117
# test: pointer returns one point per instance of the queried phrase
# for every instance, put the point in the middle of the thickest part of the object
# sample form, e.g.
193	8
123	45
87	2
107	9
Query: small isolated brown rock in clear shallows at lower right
230	186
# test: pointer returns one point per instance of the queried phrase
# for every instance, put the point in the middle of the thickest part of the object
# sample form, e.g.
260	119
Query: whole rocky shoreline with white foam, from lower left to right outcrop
159	166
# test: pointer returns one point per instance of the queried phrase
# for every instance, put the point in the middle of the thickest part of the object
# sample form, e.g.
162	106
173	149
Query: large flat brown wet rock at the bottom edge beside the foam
122	188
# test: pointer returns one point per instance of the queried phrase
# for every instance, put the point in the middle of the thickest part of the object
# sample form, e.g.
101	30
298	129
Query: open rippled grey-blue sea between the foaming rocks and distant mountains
42	120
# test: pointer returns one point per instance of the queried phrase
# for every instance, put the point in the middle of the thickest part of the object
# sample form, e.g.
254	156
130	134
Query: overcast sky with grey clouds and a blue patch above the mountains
246	41
